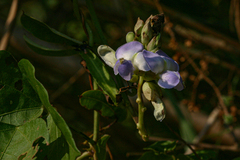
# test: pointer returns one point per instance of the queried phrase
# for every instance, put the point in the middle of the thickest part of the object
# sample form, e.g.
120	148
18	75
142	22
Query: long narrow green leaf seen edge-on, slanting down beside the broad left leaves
28	70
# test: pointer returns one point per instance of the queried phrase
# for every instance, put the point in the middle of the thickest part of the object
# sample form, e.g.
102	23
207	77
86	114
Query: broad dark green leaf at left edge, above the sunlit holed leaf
19	102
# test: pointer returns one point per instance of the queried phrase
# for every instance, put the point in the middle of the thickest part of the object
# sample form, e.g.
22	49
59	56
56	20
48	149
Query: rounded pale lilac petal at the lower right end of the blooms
169	79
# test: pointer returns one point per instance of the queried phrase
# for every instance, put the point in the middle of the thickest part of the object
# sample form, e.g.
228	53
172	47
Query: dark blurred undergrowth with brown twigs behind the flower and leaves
202	36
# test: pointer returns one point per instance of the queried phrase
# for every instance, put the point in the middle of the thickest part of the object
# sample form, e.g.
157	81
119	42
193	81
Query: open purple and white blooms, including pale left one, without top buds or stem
131	58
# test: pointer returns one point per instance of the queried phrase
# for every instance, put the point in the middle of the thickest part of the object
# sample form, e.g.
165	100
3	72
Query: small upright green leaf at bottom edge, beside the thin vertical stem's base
101	147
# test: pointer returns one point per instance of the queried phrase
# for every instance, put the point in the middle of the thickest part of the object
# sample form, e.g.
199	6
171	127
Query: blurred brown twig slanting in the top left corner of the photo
9	25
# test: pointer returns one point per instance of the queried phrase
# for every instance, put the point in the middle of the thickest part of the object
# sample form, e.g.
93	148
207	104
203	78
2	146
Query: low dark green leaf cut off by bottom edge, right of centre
153	156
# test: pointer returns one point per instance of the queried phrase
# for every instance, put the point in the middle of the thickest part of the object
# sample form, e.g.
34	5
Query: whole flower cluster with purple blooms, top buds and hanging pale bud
142	58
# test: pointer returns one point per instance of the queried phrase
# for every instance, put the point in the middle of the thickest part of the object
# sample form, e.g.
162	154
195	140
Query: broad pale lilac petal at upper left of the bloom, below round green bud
127	50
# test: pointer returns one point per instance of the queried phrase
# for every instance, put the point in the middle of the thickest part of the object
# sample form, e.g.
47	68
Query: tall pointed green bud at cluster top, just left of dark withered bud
146	34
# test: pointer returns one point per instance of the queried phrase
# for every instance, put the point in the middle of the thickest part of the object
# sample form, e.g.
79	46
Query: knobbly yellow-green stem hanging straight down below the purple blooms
141	110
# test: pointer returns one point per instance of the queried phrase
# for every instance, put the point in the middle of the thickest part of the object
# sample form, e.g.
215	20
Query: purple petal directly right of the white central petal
154	61
